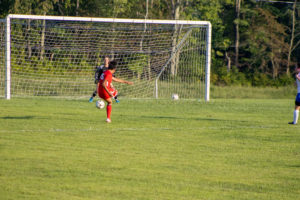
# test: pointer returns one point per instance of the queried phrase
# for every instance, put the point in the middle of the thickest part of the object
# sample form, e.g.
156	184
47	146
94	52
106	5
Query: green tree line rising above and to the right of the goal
255	42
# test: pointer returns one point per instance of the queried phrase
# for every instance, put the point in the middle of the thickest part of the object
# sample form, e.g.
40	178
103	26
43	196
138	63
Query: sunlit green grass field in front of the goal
222	150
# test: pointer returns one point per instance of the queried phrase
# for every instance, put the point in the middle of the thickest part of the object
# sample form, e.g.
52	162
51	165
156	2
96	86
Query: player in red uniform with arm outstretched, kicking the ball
105	89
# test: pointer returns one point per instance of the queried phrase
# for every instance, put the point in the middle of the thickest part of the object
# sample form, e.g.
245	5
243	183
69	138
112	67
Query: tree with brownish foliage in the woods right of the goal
266	44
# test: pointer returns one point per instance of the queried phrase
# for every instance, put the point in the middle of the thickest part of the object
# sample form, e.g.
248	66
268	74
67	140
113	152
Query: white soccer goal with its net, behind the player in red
57	56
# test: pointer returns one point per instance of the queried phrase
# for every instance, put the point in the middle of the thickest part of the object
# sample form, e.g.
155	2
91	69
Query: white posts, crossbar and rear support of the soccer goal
117	20
